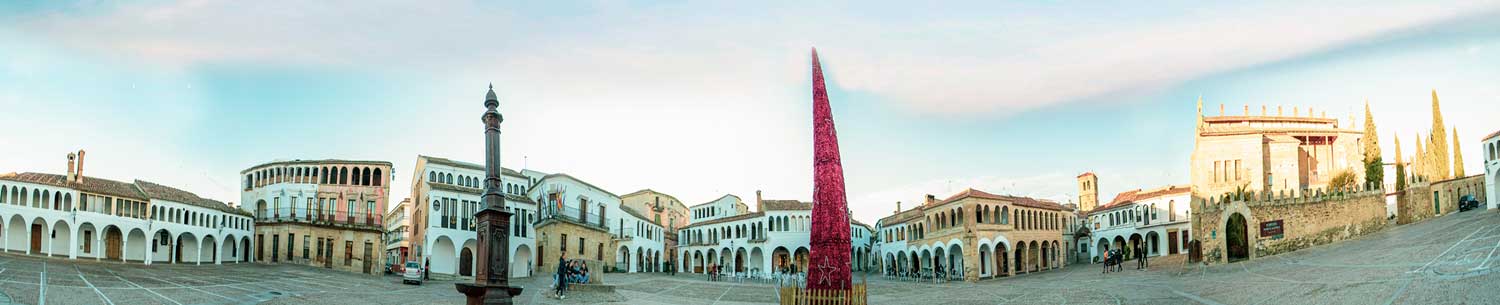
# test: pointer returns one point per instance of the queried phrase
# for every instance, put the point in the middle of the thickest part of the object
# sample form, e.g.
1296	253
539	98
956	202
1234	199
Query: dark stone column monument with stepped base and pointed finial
493	261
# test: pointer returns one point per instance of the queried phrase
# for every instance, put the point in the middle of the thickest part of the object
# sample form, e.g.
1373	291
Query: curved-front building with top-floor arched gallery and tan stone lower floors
335	208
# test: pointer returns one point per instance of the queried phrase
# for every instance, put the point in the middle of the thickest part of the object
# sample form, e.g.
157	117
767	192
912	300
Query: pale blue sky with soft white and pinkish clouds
703	100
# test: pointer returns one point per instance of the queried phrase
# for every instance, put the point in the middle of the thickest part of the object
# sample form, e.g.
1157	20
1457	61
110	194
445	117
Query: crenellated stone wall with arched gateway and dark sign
1318	219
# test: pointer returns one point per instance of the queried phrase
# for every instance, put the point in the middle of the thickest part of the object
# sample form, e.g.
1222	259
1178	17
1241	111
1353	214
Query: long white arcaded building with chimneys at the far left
92	219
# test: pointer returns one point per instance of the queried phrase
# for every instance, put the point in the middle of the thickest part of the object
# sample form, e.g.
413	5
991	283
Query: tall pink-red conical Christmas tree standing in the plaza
830	238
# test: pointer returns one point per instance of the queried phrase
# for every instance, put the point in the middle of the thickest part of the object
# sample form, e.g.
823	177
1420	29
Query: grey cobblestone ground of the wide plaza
1445	261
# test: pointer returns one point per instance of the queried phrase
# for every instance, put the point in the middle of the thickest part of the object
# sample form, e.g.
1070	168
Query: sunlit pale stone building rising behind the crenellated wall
1273	152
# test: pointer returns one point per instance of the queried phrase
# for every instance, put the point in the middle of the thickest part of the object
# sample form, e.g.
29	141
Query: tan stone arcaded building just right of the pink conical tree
974	235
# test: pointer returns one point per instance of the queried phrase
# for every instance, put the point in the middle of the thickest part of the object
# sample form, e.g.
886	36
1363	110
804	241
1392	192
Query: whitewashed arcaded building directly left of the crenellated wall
1157	219
